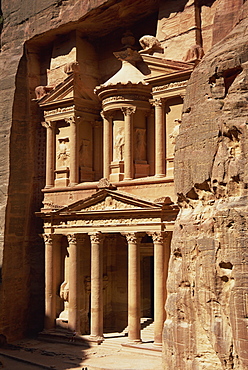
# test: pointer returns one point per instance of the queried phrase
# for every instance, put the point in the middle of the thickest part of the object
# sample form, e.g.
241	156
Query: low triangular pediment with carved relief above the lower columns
109	200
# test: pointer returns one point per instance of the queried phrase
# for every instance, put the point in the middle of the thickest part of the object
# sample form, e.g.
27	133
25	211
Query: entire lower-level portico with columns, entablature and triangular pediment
106	264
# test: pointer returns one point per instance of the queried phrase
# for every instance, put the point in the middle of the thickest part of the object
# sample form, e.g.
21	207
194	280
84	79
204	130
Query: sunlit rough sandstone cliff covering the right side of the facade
207	307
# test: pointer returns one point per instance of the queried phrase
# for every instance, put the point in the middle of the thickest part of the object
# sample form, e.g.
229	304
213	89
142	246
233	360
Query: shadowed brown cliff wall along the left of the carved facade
22	157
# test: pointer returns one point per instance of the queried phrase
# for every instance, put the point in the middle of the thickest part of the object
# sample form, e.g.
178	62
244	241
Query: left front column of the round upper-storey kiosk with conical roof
107	143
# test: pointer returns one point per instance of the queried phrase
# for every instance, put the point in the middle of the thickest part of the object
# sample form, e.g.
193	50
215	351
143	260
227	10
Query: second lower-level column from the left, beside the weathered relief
73	312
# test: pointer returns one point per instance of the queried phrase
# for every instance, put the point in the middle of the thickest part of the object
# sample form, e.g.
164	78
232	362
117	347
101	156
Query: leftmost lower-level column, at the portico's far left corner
50	282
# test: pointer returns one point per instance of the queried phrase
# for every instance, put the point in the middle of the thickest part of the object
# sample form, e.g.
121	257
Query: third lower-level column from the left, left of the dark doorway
96	286
